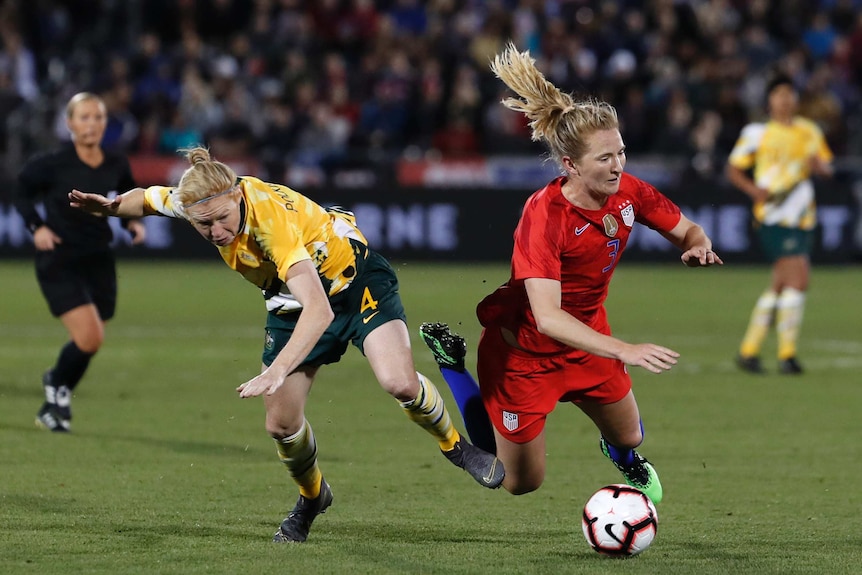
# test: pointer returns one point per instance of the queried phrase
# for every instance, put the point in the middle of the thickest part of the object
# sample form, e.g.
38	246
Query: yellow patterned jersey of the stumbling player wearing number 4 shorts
280	227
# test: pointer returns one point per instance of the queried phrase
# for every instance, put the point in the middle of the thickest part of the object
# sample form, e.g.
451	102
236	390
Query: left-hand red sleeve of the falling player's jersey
537	241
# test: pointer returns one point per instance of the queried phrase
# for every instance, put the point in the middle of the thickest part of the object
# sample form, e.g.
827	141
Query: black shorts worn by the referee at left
72	279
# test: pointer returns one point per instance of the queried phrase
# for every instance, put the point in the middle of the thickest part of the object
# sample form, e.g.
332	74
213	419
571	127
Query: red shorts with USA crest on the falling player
520	389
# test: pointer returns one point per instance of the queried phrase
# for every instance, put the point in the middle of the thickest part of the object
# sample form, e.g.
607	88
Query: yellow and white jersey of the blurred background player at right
780	155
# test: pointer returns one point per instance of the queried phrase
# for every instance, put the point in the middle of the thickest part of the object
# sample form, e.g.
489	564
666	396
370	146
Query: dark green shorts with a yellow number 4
370	301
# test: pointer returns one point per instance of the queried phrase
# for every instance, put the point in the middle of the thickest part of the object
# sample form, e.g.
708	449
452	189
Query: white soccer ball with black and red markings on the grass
620	521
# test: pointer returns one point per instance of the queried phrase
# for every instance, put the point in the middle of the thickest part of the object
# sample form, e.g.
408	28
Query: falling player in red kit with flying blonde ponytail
546	337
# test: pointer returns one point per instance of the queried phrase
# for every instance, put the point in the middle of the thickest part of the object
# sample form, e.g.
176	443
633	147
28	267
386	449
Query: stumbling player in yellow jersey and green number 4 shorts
324	288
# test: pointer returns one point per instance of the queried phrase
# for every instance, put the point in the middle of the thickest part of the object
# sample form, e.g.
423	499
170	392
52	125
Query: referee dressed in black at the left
74	260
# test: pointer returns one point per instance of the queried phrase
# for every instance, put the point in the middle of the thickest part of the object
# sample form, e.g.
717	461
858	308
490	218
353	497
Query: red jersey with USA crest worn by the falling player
580	248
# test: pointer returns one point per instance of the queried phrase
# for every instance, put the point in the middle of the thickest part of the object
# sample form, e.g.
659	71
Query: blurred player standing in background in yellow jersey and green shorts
782	154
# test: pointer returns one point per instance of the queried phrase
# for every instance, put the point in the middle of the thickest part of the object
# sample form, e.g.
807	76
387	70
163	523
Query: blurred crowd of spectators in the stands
331	83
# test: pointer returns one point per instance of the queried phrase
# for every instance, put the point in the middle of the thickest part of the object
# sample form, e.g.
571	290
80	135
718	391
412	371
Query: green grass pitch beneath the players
168	471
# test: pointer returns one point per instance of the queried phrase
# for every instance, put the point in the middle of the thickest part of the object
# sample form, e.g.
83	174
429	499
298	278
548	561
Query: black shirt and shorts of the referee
81	269
